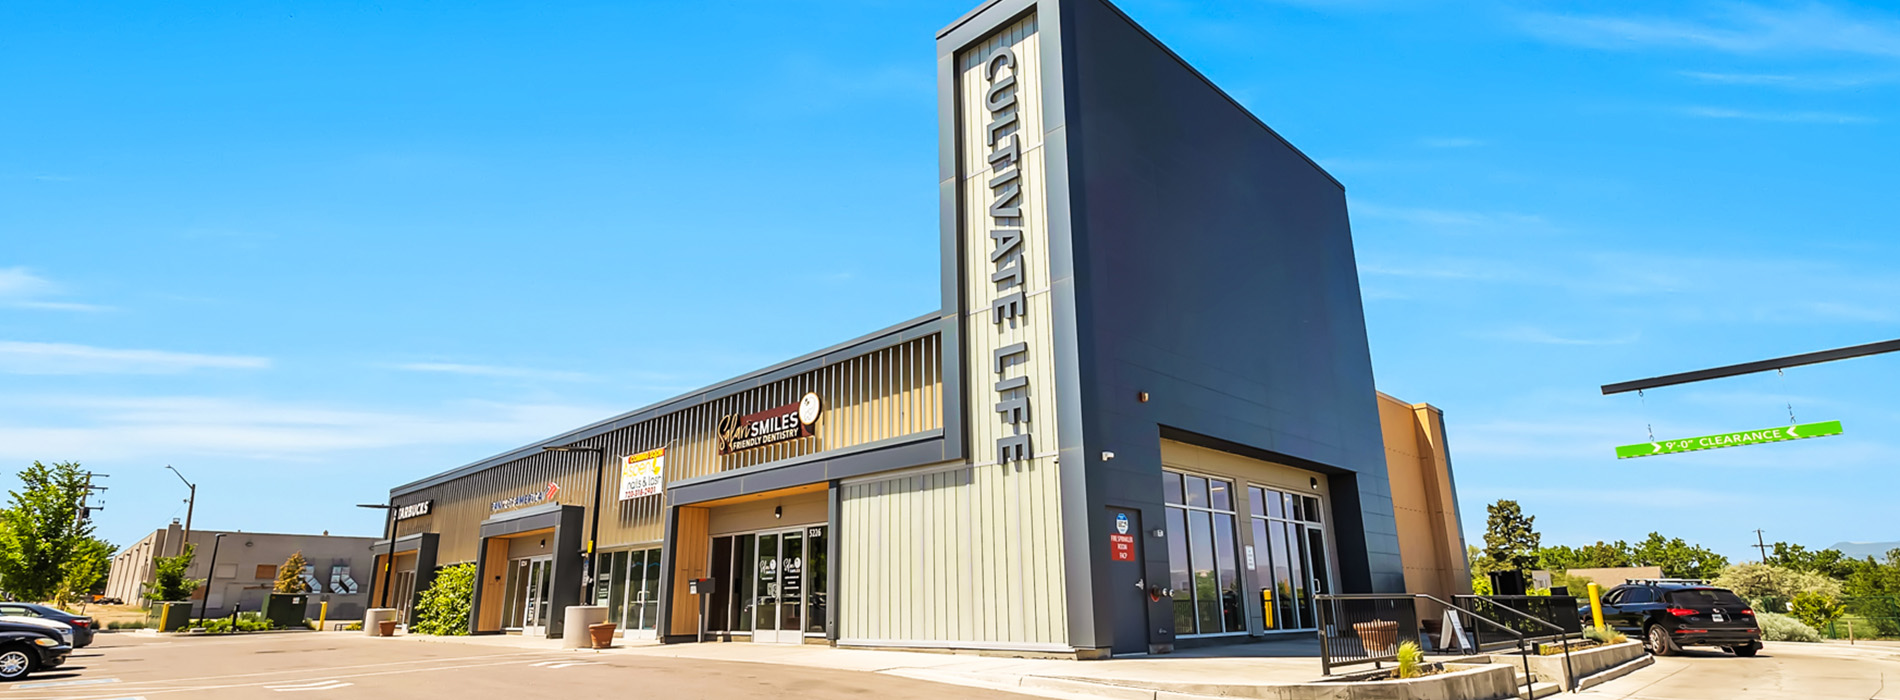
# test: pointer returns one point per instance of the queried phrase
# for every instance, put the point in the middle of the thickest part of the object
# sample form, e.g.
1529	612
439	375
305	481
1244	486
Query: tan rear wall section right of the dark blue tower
1424	499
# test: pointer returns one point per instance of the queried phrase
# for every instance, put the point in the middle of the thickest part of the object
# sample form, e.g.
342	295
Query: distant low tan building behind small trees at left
248	568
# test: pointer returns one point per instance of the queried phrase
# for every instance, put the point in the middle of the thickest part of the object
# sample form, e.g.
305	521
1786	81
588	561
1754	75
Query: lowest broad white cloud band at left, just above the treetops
159	429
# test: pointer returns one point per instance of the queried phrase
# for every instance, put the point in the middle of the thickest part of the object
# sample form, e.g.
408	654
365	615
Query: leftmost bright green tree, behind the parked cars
43	532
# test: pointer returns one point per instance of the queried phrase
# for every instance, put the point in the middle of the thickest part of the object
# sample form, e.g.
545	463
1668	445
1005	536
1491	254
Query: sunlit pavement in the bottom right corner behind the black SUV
1783	671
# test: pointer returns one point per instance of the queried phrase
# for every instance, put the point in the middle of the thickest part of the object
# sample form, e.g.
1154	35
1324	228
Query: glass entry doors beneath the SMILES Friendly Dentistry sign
776	585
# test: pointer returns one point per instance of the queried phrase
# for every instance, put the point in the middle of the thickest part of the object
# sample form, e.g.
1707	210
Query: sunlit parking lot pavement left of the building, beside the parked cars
124	667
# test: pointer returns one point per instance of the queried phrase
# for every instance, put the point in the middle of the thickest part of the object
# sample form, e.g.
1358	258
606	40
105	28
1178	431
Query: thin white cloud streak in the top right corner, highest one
1734	28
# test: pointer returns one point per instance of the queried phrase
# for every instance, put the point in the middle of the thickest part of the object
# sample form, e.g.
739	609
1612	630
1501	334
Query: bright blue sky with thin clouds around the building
307	252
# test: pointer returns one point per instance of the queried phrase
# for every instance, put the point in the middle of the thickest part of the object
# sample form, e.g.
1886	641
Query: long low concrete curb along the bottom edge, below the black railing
1458	682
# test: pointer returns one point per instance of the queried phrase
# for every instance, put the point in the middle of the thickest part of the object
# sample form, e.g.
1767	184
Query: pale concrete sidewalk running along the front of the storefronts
1230	671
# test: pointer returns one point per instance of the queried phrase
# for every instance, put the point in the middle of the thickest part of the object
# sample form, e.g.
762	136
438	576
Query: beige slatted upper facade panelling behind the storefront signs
867	399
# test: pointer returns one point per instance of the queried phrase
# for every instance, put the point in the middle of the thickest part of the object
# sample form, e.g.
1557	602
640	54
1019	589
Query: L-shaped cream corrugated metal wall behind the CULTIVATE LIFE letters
995	528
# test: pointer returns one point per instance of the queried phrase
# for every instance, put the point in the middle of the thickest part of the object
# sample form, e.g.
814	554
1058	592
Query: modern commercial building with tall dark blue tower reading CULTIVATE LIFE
1143	416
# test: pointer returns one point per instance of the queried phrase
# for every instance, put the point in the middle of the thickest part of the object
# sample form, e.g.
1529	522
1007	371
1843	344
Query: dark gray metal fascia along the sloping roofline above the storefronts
839	353
